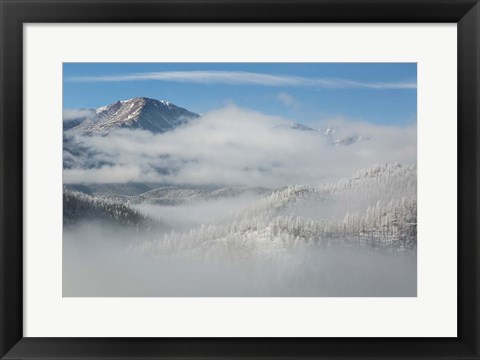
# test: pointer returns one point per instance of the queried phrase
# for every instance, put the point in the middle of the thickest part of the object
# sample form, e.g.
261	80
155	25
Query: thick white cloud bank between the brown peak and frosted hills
235	146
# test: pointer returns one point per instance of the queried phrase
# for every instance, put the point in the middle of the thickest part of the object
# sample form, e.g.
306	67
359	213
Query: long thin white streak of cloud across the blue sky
246	78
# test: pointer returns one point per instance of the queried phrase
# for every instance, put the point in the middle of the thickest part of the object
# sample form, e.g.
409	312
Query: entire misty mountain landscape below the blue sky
161	201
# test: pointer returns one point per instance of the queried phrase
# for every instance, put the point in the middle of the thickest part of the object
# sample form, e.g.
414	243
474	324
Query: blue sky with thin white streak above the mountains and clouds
381	93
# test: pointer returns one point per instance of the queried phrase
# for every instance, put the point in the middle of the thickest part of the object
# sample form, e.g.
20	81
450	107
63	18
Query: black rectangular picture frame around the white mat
14	13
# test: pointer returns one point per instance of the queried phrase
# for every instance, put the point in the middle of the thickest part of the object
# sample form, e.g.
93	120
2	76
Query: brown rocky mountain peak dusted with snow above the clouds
157	116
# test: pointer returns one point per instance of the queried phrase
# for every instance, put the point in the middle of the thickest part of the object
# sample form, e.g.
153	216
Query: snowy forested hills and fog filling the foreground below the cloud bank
355	237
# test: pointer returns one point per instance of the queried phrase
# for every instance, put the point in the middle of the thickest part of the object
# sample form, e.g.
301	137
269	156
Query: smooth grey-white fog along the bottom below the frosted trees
99	261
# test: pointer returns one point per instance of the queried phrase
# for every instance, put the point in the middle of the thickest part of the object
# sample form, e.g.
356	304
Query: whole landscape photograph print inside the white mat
239	180
